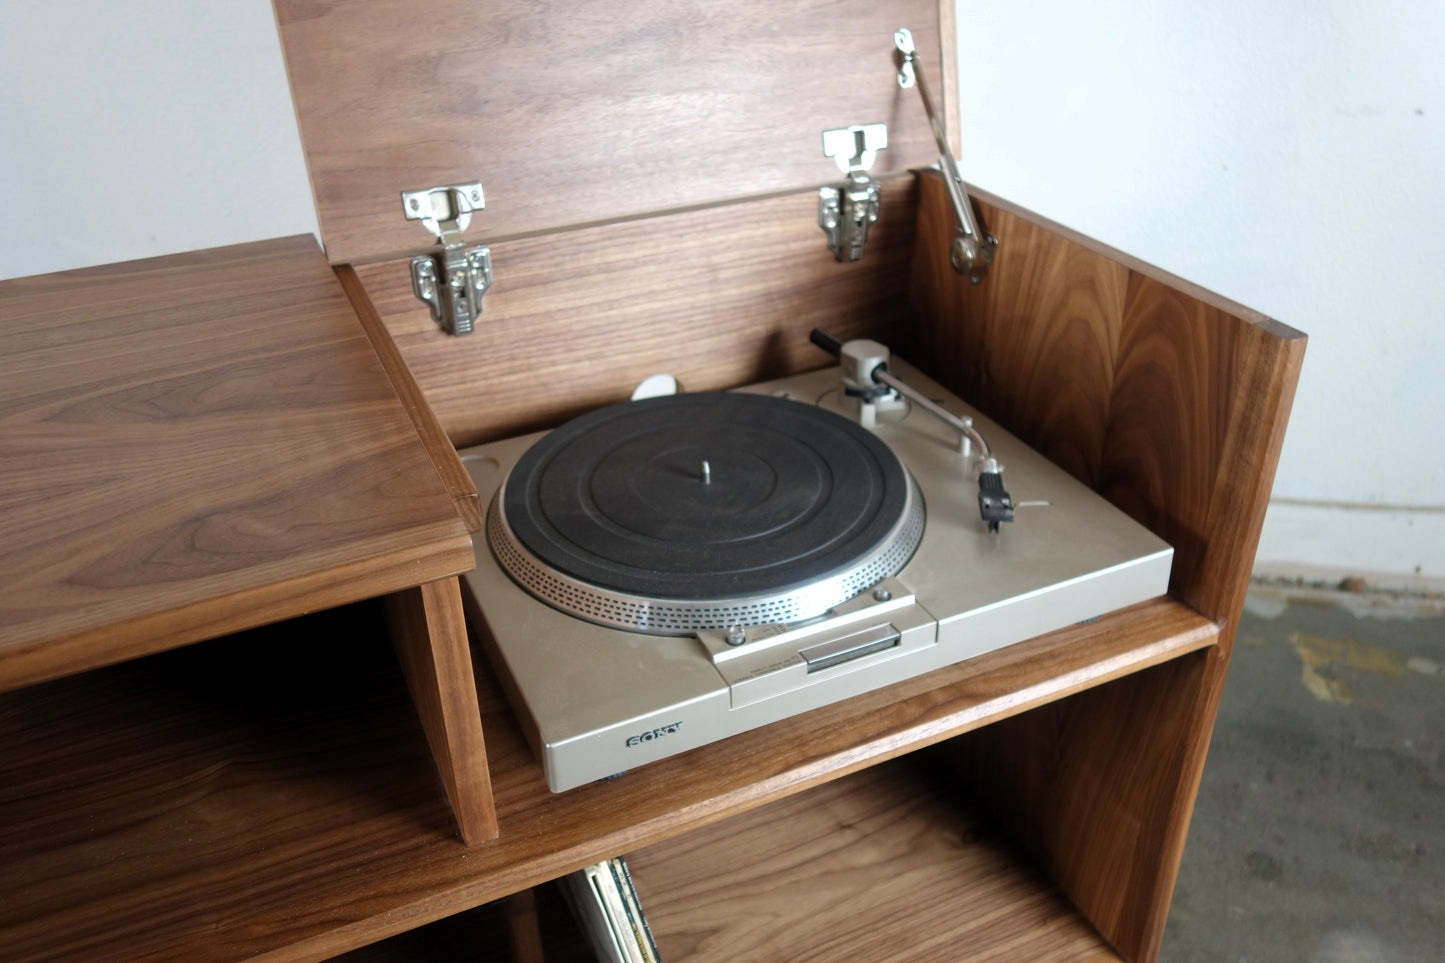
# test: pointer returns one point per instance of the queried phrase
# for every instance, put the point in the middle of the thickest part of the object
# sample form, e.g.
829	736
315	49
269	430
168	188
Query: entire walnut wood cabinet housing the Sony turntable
249	771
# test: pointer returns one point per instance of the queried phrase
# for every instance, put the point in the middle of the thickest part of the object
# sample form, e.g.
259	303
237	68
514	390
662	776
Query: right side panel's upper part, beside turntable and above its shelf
1168	400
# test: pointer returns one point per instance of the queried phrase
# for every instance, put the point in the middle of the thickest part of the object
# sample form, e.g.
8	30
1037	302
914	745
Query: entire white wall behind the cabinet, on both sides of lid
1282	154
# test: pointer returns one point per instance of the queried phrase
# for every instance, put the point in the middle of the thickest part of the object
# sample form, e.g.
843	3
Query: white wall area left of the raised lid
142	128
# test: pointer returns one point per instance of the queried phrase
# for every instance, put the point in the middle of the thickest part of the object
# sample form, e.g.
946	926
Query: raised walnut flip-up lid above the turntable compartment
574	114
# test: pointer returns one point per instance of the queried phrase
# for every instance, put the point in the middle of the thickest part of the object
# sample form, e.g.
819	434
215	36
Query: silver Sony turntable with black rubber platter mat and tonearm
665	573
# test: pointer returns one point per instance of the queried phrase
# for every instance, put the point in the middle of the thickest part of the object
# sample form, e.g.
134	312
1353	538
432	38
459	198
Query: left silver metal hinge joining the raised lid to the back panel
454	281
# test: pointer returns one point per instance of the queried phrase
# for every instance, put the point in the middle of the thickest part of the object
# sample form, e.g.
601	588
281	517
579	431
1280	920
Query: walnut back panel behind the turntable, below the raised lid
719	299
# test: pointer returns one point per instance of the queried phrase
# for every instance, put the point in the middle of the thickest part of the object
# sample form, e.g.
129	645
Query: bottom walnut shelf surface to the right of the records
882	865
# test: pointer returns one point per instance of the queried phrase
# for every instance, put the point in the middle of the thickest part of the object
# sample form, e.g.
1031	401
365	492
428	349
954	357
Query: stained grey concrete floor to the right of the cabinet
1320	828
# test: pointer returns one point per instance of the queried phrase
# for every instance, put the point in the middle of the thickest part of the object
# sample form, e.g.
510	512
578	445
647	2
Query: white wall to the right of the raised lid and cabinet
1288	157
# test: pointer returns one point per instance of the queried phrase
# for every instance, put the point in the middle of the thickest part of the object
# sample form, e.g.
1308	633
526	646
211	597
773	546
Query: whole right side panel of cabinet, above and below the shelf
1173	403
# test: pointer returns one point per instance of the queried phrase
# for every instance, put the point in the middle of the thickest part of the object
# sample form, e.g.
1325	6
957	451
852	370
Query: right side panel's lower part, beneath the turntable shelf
1100	789
